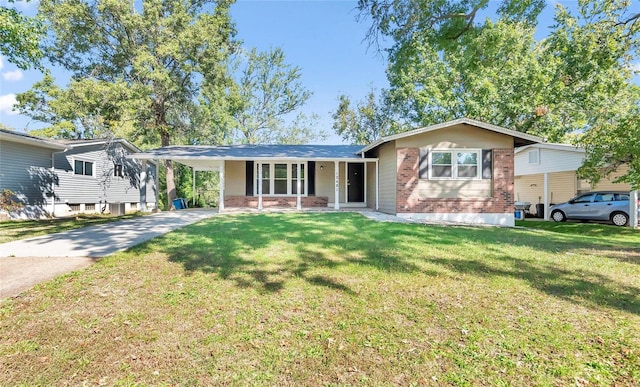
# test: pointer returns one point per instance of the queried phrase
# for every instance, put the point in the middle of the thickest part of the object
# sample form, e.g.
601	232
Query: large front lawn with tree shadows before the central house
336	299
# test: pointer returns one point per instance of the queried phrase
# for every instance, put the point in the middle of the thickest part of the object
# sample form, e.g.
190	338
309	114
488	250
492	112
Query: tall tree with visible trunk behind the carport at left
161	50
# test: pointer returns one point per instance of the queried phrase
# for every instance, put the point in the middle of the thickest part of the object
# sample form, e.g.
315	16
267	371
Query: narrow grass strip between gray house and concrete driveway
22	229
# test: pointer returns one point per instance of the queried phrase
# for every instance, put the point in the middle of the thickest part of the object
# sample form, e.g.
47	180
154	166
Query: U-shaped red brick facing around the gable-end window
408	200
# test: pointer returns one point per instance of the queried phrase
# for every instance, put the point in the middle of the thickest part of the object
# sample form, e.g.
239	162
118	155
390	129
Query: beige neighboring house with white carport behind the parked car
546	174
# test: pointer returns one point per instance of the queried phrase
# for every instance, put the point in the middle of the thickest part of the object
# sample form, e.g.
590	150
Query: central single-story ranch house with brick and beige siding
459	171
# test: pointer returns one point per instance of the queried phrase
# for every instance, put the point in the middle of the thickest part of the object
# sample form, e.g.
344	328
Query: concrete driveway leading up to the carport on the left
27	262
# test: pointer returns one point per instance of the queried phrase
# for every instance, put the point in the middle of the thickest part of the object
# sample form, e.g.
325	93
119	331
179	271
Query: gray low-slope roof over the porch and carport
255	152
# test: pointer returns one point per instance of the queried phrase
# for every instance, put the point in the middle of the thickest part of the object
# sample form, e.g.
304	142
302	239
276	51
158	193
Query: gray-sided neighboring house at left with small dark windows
62	178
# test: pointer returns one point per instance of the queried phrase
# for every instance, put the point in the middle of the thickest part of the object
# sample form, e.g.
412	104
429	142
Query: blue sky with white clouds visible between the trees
321	37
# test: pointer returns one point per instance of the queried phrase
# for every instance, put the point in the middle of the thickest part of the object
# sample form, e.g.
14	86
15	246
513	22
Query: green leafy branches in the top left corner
19	37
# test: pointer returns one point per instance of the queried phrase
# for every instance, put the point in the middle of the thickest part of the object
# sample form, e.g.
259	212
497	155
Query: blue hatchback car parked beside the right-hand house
611	206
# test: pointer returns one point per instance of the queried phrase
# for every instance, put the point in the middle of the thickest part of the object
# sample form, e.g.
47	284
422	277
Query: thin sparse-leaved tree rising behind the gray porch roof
266	92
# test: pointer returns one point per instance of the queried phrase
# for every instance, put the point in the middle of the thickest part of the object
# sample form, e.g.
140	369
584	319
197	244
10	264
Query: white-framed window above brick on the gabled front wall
455	164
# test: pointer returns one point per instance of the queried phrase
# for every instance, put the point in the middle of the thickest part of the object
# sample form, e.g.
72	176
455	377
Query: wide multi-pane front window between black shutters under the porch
280	179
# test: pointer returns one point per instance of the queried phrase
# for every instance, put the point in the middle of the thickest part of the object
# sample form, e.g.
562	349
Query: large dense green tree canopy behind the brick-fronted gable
446	62
